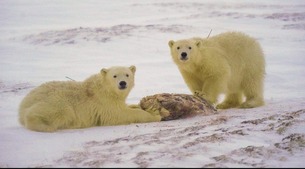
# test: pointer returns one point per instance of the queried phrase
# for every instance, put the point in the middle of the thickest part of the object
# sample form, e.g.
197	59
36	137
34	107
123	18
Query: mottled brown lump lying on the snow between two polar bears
174	106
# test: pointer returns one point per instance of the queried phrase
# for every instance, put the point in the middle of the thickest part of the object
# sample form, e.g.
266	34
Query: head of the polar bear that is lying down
118	79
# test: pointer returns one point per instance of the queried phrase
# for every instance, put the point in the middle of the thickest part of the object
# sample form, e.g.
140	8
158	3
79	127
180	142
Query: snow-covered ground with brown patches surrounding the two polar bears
52	39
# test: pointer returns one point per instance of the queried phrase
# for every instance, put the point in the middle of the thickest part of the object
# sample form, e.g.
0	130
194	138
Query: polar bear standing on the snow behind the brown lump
231	63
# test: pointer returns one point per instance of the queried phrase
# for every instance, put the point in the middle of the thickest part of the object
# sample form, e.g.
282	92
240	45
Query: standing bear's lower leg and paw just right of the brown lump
231	100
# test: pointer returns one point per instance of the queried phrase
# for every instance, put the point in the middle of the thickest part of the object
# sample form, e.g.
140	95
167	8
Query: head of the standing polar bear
184	51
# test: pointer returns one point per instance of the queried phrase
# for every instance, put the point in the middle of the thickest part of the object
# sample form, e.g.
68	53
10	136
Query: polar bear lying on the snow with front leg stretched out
97	101
